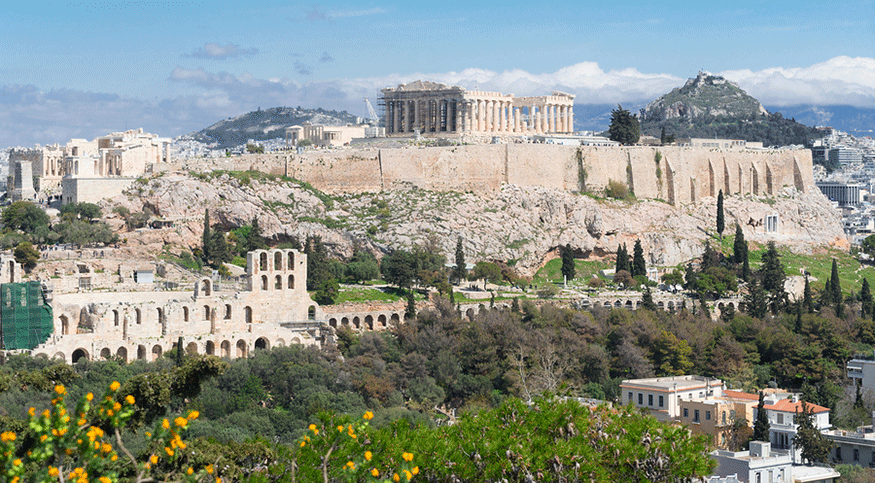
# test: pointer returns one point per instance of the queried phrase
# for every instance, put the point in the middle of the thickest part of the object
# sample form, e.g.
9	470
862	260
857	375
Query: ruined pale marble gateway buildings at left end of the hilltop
85	171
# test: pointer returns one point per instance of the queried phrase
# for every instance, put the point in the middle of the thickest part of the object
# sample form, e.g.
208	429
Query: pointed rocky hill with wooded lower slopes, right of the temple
710	106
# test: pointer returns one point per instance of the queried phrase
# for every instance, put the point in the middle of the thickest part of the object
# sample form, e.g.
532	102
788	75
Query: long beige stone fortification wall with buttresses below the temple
675	174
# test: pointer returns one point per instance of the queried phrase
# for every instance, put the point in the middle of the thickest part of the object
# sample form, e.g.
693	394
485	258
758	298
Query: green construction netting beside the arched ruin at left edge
25	317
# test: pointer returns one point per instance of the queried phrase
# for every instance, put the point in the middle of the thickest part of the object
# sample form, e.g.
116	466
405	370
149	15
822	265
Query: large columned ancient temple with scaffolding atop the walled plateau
433	108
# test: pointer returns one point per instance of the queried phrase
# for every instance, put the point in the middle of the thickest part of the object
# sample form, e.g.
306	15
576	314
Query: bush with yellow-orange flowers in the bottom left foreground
85	444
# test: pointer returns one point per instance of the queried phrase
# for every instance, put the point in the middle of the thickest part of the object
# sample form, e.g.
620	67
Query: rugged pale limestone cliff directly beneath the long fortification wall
523	224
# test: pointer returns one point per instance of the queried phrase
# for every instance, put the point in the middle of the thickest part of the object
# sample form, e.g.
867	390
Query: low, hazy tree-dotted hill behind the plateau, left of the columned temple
266	124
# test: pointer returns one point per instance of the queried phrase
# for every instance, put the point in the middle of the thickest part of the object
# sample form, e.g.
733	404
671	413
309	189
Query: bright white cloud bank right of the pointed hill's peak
840	80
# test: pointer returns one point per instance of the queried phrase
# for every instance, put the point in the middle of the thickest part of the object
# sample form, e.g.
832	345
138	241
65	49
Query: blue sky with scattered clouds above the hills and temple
83	69
